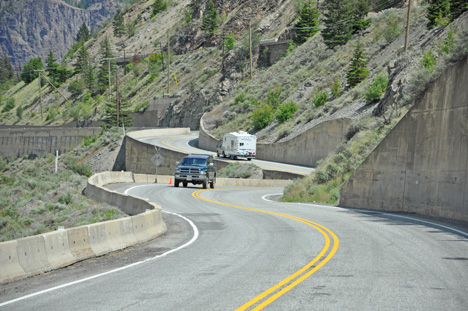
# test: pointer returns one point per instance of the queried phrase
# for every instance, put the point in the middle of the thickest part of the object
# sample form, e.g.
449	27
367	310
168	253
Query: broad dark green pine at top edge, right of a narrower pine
338	23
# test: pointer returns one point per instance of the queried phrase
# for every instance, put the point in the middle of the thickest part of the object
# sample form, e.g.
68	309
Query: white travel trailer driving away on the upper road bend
238	145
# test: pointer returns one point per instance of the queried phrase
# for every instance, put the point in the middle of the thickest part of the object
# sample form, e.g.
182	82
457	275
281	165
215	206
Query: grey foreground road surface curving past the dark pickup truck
240	249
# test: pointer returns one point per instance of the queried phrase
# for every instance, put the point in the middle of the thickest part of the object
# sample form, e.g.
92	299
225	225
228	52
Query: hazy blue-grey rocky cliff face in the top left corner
30	28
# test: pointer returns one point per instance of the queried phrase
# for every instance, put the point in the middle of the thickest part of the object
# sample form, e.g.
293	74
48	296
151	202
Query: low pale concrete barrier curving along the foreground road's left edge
40	253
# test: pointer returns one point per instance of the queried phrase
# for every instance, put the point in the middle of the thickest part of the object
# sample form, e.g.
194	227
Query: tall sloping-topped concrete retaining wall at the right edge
422	165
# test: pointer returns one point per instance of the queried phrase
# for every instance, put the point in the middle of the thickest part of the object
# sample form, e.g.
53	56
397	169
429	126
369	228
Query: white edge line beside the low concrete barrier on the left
194	238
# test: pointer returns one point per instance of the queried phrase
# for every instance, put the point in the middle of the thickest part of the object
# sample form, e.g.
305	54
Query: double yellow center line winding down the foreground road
273	293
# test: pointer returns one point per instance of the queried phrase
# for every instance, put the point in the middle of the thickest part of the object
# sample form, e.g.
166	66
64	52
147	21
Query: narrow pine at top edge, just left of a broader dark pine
308	22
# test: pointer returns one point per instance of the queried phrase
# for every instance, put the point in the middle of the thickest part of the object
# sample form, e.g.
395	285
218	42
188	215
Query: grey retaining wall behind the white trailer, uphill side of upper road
305	149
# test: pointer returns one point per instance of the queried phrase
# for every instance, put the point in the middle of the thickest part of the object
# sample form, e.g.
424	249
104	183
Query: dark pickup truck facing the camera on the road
196	169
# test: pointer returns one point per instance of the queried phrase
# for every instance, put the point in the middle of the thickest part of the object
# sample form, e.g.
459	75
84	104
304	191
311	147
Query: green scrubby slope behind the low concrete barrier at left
35	199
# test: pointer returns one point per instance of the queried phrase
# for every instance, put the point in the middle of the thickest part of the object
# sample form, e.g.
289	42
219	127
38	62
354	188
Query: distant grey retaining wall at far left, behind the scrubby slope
17	142
